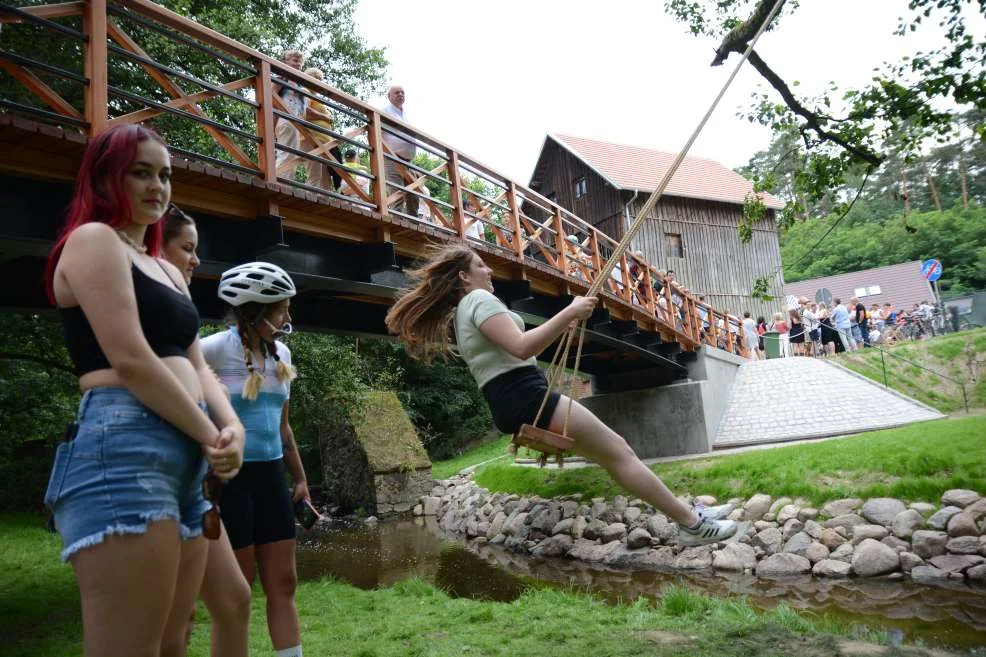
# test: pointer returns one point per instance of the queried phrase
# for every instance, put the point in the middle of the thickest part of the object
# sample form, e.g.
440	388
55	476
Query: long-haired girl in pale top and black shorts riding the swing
455	282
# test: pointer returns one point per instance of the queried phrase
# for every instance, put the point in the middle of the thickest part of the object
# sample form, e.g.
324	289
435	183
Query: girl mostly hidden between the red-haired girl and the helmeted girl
224	588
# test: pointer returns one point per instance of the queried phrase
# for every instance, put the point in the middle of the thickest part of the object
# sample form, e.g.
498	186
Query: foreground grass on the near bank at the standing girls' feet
39	617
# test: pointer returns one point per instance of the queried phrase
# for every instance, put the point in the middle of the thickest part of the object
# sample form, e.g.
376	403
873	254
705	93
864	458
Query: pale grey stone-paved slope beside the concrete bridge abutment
789	399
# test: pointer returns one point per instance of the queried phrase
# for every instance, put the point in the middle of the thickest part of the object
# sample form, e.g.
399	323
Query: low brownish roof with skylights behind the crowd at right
901	285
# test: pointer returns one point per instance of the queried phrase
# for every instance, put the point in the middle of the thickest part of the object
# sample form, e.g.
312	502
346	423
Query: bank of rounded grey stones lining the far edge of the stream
930	543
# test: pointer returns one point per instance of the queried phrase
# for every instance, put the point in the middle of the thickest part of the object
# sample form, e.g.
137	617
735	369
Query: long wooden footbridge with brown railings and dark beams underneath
213	99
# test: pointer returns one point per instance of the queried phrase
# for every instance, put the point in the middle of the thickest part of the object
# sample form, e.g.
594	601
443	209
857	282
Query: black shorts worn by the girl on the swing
514	398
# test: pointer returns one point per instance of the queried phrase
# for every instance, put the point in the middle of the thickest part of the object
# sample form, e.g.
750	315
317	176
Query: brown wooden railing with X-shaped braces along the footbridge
223	103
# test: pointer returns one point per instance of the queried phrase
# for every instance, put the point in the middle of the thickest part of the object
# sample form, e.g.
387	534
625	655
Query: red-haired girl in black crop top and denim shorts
126	488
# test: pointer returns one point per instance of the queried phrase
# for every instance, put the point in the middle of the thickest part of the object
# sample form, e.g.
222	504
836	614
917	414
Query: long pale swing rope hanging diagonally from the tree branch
616	256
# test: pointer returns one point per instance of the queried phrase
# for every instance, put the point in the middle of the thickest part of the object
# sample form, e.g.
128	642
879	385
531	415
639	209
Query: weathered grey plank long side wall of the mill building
715	263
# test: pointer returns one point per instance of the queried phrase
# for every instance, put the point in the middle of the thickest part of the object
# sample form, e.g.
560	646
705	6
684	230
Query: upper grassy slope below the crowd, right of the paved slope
959	356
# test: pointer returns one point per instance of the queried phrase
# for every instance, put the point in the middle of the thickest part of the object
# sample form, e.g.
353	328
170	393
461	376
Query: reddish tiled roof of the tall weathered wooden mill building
633	167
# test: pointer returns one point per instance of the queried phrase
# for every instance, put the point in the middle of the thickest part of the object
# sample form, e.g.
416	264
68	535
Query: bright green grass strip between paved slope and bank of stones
914	463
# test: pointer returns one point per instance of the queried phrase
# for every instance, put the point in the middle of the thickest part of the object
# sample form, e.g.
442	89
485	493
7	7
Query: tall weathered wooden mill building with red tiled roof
692	230
